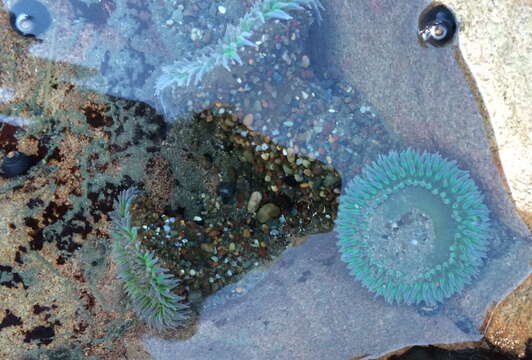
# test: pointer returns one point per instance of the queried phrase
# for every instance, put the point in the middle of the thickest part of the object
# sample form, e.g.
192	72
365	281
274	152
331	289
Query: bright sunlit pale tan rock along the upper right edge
496	44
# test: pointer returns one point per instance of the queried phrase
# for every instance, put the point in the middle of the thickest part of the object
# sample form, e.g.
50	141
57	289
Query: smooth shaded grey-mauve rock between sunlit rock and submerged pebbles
420	92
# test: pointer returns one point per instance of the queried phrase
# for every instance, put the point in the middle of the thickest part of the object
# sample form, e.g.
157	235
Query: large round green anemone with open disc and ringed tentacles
413	227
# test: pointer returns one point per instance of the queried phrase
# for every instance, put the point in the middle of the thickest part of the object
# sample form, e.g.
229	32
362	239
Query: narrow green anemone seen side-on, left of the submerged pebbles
148	286
